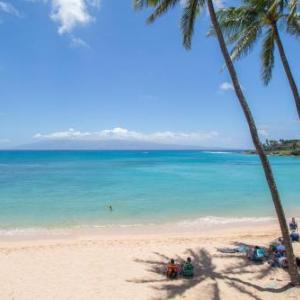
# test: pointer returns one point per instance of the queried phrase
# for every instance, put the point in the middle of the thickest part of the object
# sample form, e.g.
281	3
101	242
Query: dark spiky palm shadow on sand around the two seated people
206	270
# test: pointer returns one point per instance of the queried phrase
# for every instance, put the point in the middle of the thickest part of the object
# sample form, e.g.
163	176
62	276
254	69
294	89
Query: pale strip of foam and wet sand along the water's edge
200	226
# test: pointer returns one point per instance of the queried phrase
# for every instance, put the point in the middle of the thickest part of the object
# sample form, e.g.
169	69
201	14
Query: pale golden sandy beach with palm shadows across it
120	266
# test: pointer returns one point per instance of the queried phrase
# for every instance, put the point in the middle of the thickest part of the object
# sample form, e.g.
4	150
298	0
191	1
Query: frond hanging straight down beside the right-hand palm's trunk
267	56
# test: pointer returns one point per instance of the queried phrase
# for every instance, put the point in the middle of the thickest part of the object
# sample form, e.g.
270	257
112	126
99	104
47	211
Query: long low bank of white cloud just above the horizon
125	134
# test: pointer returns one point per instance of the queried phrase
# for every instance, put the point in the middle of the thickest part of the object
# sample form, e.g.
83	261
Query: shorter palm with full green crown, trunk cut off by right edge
245	24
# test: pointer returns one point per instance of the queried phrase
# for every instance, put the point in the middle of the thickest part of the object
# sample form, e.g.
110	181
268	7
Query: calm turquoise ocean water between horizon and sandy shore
73	188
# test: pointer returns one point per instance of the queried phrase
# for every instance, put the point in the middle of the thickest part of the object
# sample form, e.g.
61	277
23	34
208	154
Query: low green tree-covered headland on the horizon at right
280	147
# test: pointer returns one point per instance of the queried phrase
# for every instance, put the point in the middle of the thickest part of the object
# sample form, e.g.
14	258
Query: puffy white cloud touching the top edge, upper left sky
72	13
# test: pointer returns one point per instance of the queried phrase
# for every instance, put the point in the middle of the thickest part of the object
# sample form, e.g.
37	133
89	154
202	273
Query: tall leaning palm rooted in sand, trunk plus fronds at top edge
191	10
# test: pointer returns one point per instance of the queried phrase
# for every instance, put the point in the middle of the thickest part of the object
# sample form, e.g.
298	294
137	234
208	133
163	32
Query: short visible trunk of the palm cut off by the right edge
287	68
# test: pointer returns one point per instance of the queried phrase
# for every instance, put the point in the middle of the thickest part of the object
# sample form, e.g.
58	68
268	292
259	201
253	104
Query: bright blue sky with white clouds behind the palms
93	69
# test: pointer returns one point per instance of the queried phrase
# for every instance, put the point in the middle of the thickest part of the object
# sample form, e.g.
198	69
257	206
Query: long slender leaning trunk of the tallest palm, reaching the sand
295	278
